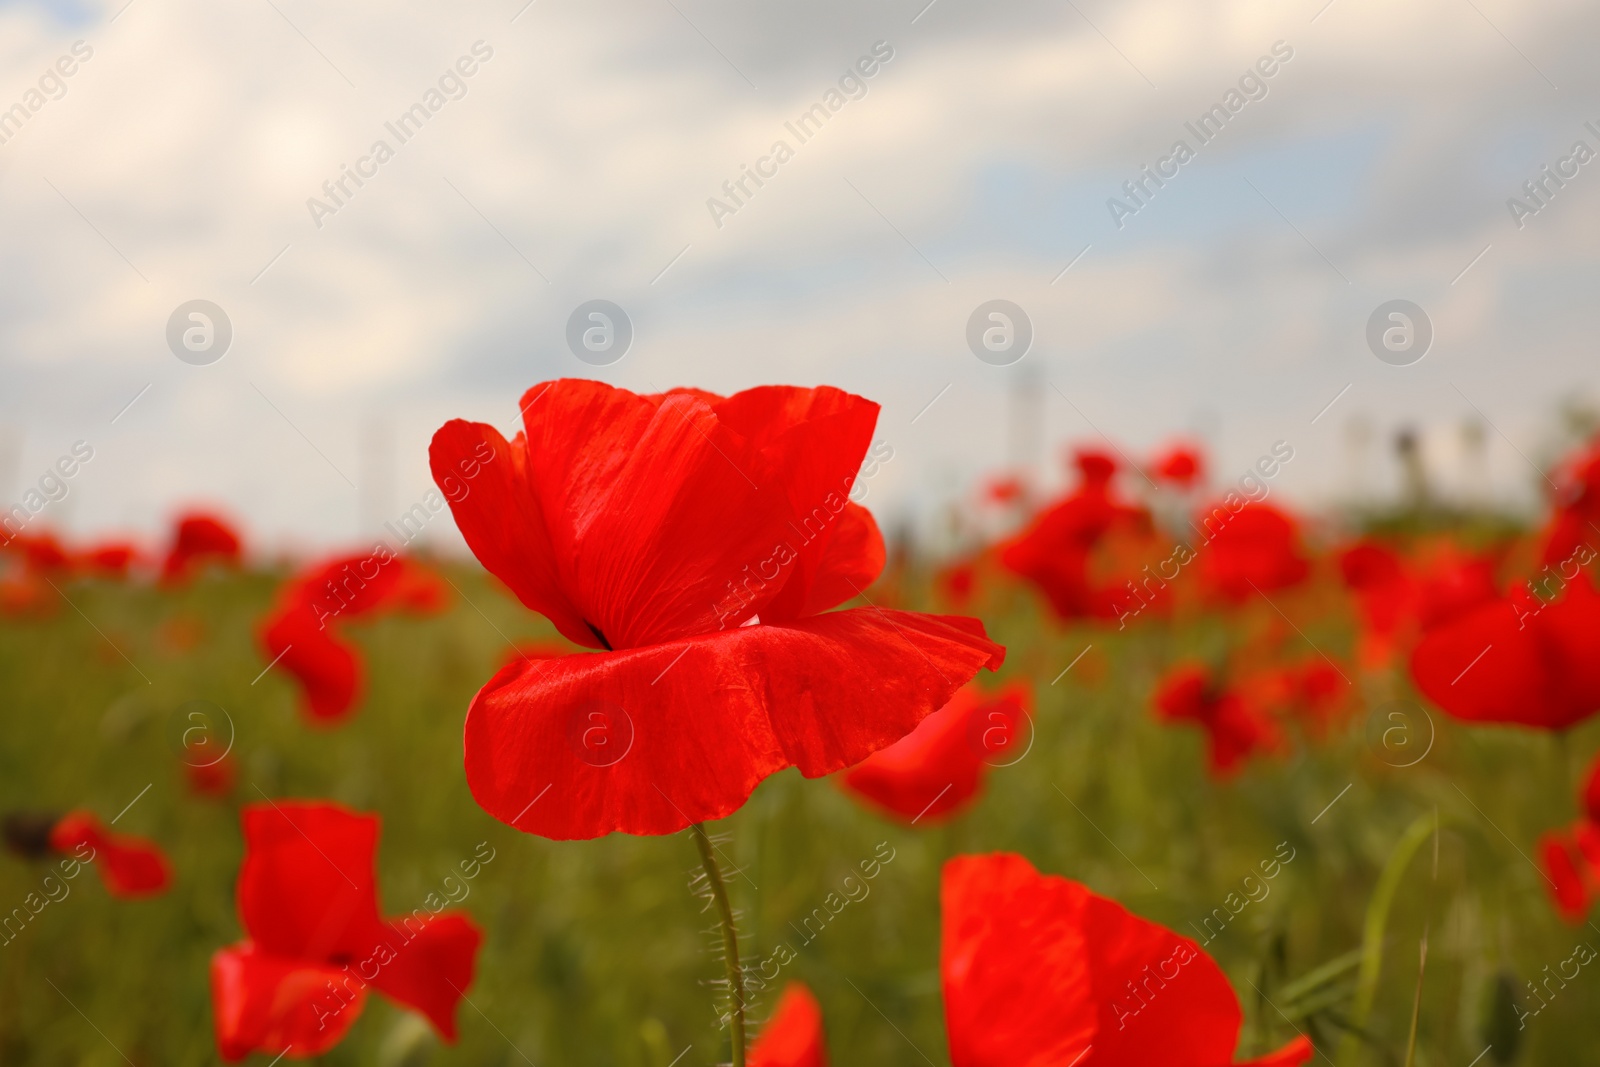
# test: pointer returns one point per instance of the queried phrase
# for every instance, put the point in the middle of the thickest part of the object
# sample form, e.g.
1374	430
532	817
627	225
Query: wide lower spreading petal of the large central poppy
650	740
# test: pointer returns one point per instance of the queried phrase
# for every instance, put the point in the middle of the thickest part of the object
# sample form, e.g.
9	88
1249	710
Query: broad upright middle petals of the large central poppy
665	514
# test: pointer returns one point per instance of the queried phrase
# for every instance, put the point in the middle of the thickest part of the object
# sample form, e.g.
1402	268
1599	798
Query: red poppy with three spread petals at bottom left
316	943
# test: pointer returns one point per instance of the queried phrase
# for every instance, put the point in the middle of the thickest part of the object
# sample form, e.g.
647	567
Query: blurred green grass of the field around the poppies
598	953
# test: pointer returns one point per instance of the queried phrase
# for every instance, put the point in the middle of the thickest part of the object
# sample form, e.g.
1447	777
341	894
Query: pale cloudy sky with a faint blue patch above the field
975	164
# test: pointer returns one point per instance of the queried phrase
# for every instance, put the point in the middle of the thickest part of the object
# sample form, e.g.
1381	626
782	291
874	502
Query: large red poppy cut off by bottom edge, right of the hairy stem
1042	973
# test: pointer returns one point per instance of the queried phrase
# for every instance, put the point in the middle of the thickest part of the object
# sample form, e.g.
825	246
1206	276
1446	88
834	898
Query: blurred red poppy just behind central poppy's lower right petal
937	770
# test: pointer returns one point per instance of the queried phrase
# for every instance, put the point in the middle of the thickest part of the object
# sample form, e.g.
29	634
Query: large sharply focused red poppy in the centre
700	541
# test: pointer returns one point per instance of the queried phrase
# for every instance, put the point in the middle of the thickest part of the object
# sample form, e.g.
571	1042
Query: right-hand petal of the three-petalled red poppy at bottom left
431	967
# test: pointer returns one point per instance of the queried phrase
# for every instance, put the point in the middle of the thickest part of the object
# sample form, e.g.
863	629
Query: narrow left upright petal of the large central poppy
486	479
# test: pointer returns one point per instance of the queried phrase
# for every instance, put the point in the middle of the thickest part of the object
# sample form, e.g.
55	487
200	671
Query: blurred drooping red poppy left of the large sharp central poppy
305	629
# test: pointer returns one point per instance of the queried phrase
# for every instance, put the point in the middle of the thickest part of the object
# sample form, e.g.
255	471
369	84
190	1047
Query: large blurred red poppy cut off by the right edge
1518	660
